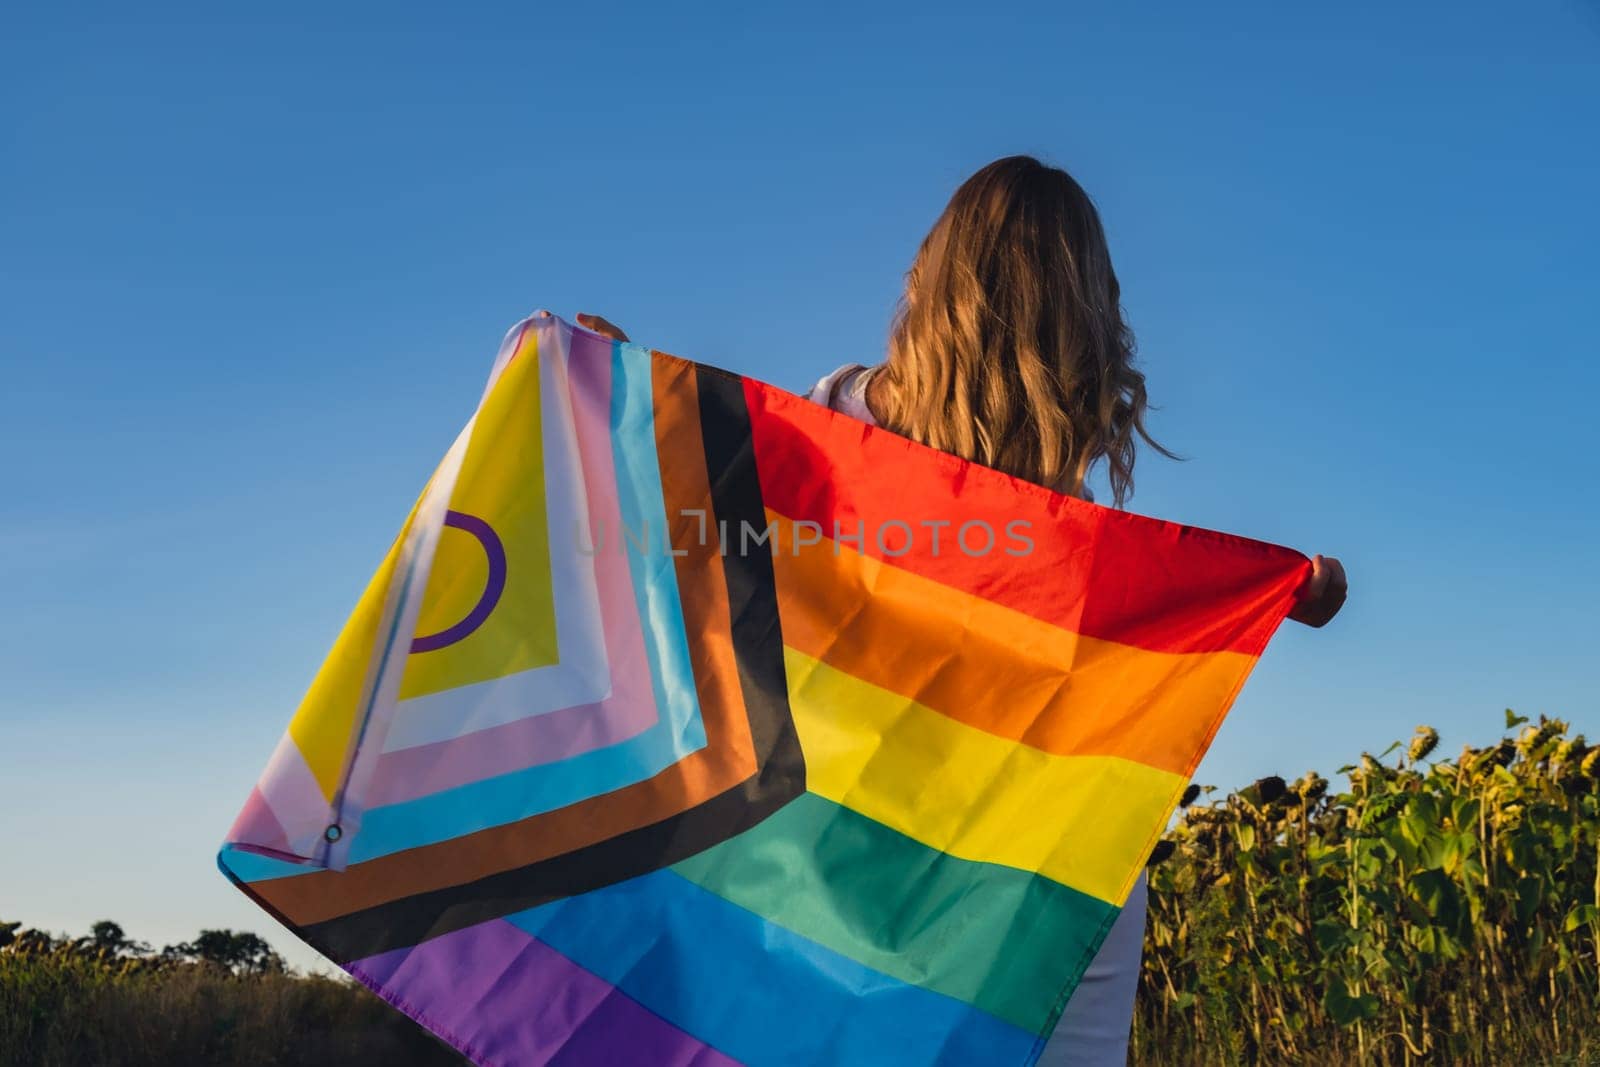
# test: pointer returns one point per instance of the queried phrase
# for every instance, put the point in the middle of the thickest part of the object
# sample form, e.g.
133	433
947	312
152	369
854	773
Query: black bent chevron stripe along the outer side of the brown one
780	775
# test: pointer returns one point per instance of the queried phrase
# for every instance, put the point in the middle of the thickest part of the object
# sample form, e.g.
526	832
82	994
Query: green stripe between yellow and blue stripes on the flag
1001	940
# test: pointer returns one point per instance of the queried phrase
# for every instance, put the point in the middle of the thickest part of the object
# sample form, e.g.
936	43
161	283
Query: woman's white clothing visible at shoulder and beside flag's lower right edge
1094	1029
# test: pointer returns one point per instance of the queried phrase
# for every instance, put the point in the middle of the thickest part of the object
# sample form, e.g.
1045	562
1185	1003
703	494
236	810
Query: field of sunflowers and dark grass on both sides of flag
1439	911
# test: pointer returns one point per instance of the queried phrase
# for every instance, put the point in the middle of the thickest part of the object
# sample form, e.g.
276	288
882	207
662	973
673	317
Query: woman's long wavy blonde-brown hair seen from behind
1009	346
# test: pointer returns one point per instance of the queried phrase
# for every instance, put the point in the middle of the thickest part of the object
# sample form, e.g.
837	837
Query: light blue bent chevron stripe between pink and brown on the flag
678	732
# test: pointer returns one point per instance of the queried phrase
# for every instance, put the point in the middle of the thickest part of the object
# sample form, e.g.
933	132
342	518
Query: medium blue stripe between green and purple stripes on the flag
756	991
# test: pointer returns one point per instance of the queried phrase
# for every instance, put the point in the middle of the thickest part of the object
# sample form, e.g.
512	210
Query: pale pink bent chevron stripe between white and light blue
628	711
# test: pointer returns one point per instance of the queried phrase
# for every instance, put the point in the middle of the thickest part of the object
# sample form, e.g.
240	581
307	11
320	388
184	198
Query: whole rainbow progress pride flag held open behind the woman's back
690	722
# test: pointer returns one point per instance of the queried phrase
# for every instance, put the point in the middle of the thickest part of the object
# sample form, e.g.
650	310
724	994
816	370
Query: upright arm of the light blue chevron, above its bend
642	502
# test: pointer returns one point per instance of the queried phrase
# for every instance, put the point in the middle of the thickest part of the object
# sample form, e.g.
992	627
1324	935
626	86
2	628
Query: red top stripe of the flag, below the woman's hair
1090	570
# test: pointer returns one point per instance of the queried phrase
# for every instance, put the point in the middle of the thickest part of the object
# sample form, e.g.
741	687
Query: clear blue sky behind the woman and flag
255	266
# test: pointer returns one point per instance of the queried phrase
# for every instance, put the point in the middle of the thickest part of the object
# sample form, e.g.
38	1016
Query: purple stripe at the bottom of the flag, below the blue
502	997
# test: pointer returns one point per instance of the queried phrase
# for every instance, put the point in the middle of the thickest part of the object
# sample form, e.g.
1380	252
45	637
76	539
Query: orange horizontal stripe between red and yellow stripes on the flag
996	668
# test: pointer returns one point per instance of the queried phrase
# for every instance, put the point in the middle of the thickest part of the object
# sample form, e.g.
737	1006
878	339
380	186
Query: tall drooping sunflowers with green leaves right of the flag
1436	913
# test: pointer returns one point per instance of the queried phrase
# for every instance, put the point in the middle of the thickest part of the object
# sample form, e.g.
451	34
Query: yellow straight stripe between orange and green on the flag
1086	821
